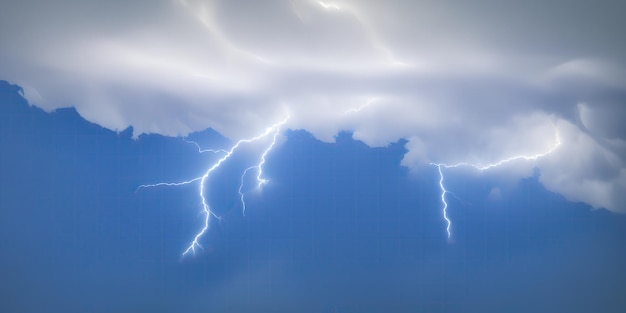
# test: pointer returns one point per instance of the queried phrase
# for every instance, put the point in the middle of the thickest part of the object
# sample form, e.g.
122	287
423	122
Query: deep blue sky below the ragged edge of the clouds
341	227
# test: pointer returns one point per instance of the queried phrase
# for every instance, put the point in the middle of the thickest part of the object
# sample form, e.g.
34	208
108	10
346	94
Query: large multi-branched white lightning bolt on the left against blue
206	209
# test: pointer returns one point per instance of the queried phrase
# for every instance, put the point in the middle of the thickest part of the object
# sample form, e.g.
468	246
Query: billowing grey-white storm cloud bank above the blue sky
463	81
